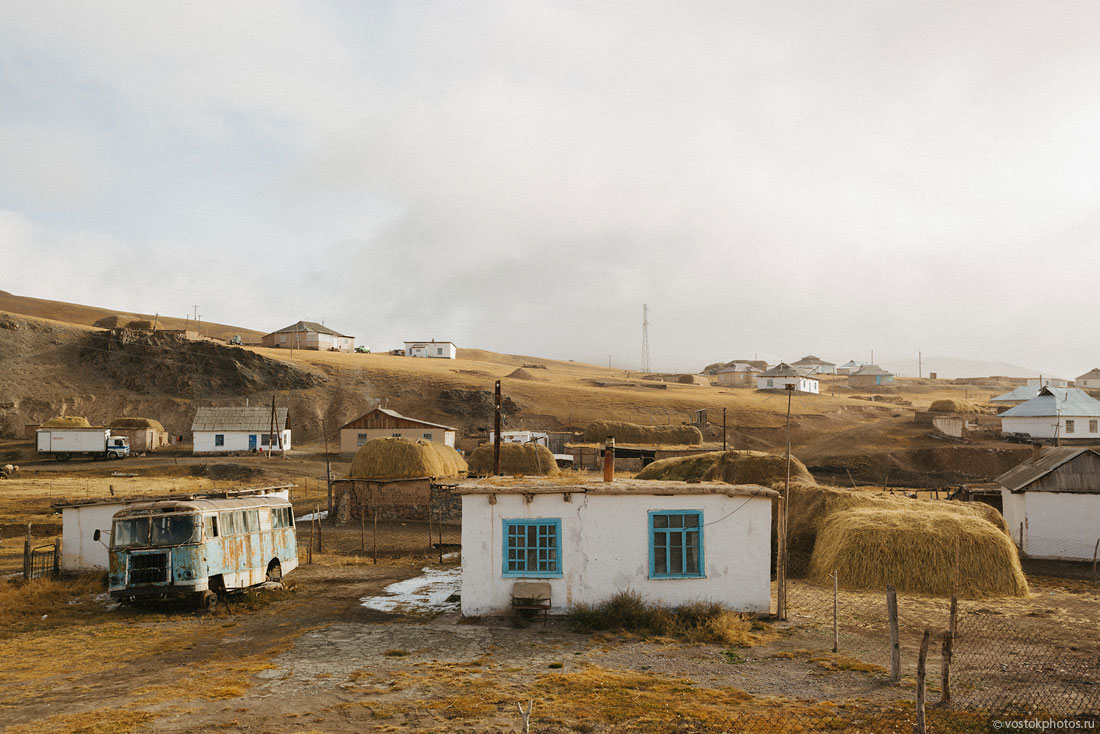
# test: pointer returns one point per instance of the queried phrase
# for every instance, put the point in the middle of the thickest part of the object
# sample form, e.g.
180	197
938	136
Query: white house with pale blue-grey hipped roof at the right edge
1066	414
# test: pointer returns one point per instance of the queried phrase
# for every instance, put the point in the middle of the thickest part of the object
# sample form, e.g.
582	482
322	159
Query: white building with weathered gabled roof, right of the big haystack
1052	503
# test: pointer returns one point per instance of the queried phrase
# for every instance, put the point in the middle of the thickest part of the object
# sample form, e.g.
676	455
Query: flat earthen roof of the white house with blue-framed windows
623	487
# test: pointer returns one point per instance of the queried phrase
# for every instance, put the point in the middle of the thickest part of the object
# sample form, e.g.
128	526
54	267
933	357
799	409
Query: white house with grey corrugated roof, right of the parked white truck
228	431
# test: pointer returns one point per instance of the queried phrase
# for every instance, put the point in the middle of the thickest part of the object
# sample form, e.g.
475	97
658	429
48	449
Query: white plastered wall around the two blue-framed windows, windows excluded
606	550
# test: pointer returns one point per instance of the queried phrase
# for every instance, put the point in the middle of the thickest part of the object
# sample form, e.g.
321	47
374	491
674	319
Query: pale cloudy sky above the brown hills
771	179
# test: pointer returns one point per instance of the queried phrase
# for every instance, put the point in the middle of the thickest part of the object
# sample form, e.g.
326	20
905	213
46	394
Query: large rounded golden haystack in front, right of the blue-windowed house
917	552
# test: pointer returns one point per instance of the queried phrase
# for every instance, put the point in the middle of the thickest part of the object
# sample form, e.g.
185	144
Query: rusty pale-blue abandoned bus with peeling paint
199	549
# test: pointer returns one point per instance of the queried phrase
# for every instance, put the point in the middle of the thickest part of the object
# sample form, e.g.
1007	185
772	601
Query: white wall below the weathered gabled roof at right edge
1058	525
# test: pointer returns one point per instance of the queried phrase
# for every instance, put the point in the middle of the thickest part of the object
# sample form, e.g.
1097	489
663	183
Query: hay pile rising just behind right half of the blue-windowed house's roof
732	467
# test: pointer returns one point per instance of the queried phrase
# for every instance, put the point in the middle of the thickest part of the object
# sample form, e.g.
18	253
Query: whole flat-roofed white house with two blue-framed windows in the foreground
673	543
